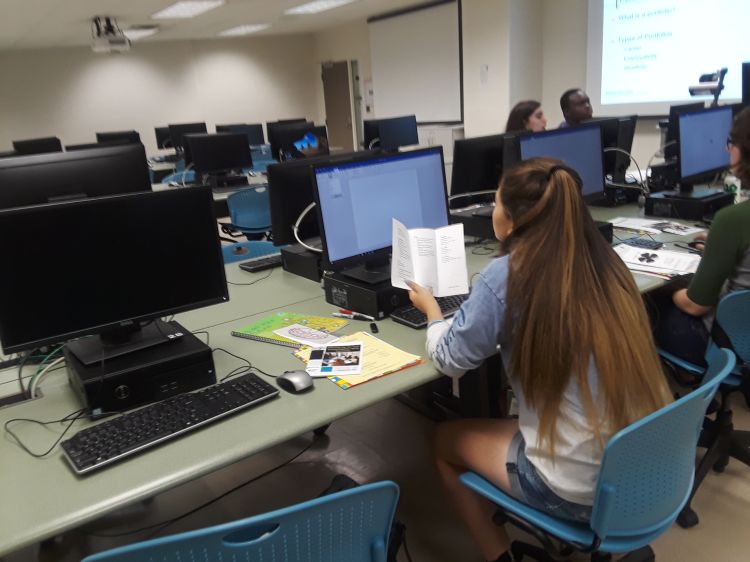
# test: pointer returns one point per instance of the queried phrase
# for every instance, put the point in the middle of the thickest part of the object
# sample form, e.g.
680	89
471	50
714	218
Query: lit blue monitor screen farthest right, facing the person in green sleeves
702	143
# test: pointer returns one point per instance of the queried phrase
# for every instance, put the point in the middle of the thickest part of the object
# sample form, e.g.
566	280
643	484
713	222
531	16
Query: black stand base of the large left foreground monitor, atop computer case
107	346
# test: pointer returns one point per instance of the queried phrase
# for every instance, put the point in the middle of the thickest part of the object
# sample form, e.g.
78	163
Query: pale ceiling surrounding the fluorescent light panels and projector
33	24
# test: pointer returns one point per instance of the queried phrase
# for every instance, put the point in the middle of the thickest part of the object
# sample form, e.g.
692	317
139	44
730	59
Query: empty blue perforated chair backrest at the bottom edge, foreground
348	526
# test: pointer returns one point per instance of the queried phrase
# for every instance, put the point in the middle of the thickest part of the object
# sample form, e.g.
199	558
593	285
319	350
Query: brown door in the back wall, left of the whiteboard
337	92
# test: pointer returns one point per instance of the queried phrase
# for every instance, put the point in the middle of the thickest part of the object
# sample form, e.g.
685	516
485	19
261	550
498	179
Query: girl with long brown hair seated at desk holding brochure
573	333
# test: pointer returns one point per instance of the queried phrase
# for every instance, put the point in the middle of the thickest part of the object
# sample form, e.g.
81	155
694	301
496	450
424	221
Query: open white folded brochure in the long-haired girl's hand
433	258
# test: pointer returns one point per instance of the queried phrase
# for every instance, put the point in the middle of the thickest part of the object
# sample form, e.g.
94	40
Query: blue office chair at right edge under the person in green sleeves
731	330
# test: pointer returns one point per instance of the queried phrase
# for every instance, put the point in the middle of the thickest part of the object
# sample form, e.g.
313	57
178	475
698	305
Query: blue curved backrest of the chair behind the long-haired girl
648	468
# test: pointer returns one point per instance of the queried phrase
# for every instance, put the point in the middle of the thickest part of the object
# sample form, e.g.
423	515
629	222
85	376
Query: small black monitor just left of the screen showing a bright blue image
220	152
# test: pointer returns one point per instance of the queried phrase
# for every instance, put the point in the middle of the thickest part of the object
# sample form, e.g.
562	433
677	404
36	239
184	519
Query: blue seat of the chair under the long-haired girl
569	531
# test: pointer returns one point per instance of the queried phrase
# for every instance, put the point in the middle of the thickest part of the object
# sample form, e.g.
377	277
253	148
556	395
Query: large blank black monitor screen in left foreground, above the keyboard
110	261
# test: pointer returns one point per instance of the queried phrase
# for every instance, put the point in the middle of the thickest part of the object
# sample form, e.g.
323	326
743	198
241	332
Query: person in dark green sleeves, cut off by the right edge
683	318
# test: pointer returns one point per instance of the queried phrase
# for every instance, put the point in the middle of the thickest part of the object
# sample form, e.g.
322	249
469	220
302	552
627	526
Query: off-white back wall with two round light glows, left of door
72	93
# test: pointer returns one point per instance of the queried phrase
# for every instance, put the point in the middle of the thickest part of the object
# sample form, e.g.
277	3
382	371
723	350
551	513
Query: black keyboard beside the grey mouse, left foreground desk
108	442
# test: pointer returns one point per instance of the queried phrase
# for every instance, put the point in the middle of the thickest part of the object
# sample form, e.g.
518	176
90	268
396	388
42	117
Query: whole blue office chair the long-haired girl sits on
646	477
